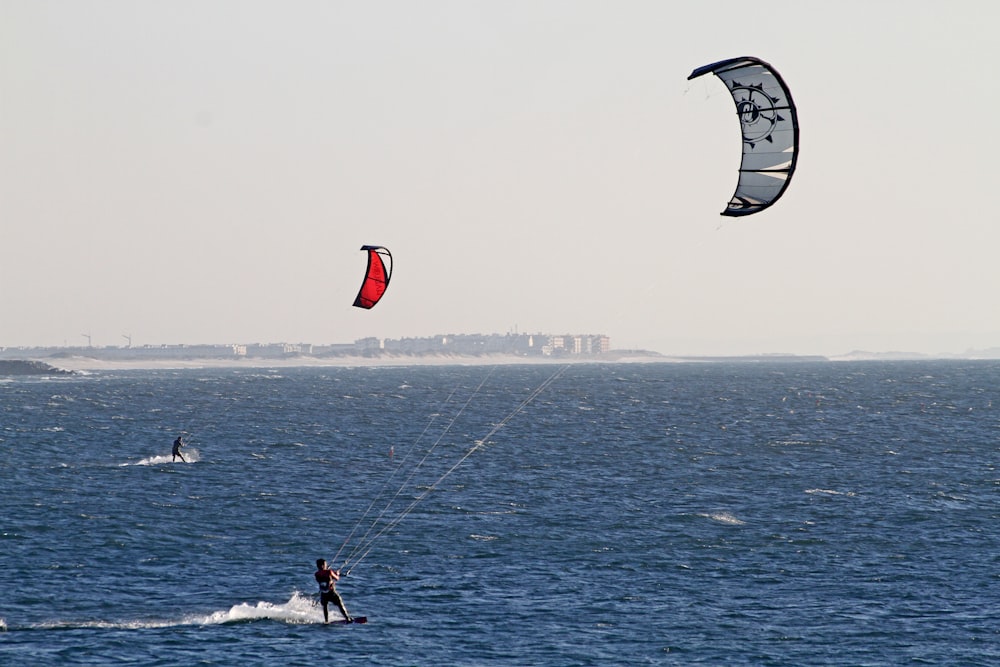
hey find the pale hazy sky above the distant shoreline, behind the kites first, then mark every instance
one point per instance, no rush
(205, 172)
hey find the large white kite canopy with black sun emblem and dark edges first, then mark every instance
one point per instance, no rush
(770, 128)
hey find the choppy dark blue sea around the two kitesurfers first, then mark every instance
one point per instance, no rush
(758, 513)
